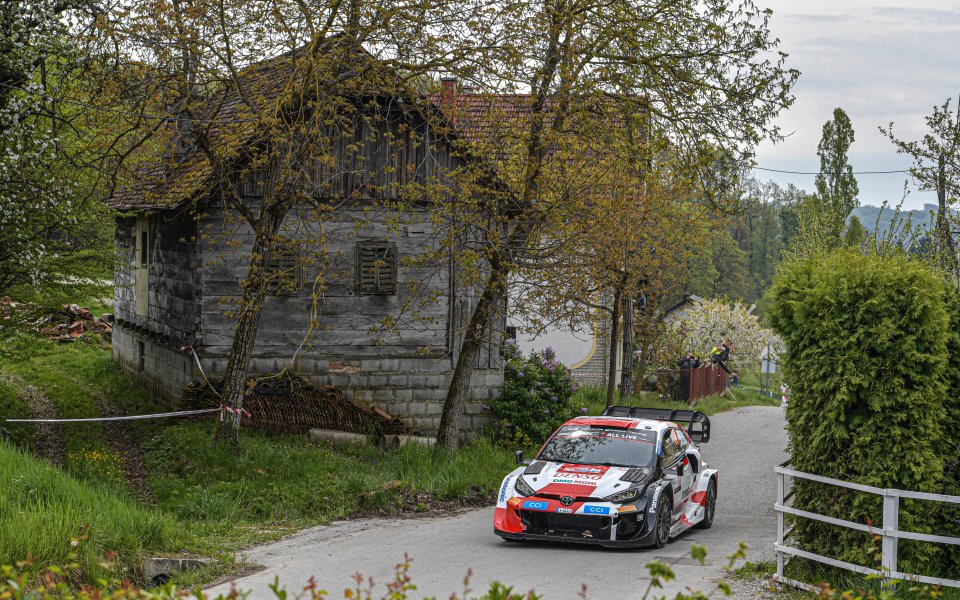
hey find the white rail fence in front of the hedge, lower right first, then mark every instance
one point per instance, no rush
(889, 531)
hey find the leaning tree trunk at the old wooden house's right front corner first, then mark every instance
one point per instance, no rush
(448, 434)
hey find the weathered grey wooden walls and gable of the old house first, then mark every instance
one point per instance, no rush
(194, 287)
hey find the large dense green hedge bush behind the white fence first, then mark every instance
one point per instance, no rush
(866, 363)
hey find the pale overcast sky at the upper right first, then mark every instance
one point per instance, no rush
(880, 62)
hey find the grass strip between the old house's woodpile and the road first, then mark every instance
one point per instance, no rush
(282, 479)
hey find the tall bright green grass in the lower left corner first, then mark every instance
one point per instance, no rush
(42, 509)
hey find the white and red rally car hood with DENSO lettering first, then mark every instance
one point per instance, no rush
(550, 479)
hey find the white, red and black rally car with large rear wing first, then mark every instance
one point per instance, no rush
(631, 477)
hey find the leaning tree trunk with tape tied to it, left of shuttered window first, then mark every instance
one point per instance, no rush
(245, 331)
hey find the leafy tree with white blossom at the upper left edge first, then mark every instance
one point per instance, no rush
(45, 219)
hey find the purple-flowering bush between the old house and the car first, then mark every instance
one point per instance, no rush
(536, 397)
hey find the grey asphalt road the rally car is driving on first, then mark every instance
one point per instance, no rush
(745, 445)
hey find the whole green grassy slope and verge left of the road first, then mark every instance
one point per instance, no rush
(208, 500)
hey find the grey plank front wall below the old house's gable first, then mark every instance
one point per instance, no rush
(405, 371)
